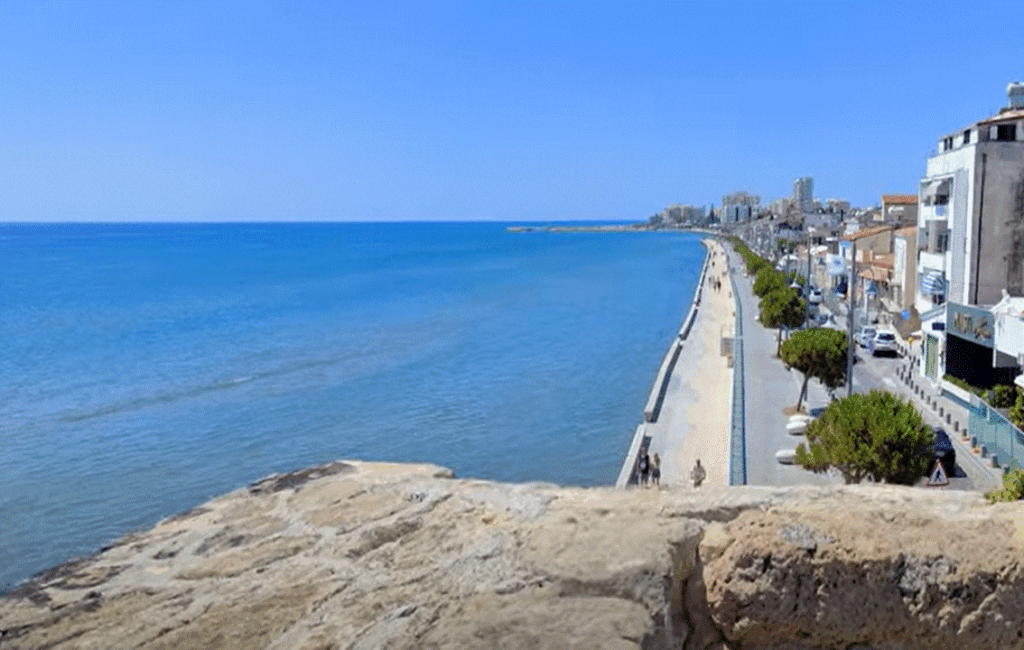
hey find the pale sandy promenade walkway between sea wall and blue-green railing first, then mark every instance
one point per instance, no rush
(695, 420)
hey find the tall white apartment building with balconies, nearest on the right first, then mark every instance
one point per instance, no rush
(971, 213)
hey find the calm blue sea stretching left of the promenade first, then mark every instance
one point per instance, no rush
(148, 368)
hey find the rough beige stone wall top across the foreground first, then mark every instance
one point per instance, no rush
(357, 555)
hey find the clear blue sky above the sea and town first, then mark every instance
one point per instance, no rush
(480, 111)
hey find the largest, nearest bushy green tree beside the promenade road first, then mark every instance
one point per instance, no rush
(877, 437)
